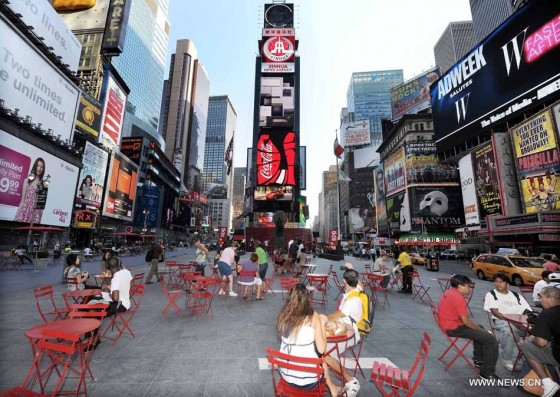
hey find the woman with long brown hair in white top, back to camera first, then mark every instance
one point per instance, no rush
(303, 335)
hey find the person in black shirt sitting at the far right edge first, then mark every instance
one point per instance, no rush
(543, 347)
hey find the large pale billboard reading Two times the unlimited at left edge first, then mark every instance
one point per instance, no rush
(30, 83)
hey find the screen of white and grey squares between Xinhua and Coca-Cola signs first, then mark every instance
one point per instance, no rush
(277, 105)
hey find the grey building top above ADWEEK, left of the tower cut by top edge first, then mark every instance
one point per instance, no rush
(456, 41)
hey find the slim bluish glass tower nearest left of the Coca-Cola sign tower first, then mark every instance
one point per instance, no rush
(217, 178)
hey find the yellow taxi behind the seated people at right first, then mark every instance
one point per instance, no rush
(520, 269)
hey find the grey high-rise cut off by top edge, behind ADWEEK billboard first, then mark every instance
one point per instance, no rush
(488, 15)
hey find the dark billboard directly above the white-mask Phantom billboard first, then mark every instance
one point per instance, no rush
(422, 164)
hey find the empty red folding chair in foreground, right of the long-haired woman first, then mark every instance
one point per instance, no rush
(398, 379)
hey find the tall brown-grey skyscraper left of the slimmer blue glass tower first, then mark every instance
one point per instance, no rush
(184, 124)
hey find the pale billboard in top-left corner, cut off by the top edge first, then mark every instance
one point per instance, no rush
(48, 25)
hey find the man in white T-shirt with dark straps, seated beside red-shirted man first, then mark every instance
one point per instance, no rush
(501, 301)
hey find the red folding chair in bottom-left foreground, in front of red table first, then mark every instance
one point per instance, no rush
(51, 367)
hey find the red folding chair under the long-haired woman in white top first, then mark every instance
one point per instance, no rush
(284, 363)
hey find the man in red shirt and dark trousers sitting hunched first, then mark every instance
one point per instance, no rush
(454, 320)
